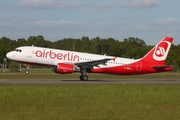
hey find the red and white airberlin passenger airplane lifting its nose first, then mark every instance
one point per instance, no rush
(67, 62)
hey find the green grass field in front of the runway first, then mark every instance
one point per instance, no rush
(91, 102)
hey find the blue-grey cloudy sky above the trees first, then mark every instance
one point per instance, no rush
(150, 20)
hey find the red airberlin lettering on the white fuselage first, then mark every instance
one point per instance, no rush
(60, 56)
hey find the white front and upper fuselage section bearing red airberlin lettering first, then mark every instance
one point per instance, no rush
(51, 57)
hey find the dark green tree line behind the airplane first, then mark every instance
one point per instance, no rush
(131, 47)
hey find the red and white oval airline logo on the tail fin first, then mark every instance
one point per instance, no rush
(161, 50)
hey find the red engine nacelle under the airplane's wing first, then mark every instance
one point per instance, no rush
(63, 68)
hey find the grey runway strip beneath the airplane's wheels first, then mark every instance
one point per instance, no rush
(71, 81)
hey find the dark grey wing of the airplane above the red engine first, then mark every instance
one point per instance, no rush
(95, 63)
